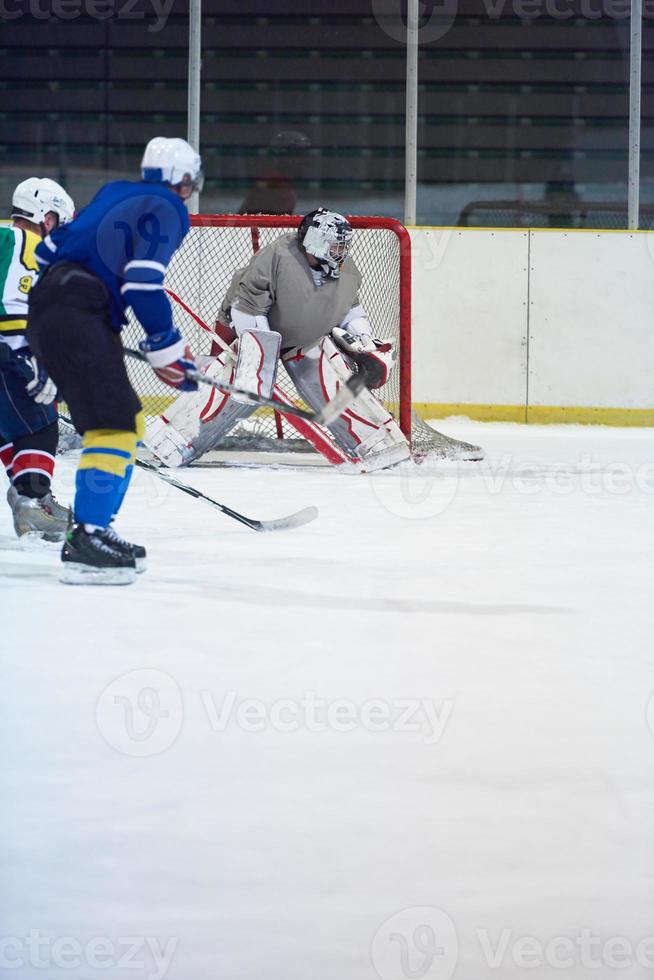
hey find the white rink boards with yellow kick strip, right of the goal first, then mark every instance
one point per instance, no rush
(540, 326)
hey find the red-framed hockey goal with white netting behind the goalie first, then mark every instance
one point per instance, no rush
(200, 274)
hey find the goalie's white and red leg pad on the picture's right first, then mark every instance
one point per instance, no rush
(366, 430)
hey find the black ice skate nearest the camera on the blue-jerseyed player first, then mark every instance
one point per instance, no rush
(89, 558)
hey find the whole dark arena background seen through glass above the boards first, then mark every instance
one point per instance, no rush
(520, 101)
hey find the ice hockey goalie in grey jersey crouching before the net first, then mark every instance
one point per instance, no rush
(296, 301)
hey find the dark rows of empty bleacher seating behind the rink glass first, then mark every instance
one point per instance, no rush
(502, 100)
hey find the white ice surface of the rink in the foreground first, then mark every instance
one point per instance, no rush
(413, 739)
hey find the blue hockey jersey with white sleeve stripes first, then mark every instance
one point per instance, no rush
(126, 236)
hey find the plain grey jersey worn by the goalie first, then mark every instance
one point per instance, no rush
(278, 283)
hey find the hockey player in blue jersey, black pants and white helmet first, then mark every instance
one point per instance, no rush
(113, 255)
